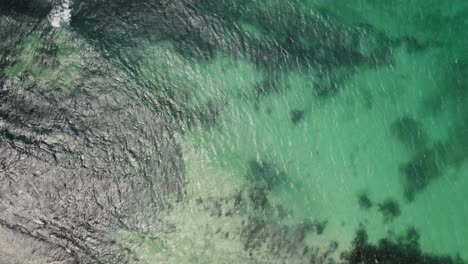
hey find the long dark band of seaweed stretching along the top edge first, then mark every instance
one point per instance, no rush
(296, 39)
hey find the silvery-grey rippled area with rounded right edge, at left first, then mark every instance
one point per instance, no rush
(73, 168)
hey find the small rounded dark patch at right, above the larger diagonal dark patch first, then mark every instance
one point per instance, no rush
(410, 132)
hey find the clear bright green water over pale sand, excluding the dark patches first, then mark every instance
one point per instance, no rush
(341, 147)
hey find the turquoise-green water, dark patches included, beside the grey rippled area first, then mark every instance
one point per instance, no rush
(299, 122)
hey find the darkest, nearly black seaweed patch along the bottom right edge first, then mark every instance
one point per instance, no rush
(405, 250)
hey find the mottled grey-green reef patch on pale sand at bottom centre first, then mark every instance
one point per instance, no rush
(261, 233)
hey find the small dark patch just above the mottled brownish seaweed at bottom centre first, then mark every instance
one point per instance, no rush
(264, 175)
